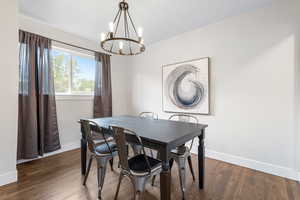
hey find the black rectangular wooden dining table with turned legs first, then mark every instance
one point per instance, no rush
(160, 135)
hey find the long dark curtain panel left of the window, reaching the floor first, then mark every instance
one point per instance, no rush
(38, 129)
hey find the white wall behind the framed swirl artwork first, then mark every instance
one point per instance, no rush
(252, 85)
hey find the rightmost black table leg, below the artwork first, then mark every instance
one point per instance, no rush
(201, 160)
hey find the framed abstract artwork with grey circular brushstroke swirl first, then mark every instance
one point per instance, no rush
(186, 87)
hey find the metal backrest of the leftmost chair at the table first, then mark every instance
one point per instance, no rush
(94, 134)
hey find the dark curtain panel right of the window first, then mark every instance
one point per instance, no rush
(102, 97)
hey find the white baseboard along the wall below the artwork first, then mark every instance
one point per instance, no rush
(253, 164)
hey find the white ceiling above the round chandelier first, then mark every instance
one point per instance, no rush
(160, 19)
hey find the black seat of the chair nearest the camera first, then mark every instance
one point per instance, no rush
(138, 164)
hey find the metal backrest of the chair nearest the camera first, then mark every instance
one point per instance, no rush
(119, 135)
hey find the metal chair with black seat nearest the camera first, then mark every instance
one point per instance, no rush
(140, 168)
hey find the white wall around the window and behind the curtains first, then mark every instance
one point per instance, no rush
(71, 109)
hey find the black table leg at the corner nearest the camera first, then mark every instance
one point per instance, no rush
(165, 177)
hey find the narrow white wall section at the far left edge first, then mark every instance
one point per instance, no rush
(9, 90)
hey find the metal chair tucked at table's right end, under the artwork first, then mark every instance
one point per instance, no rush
(182, 153)
